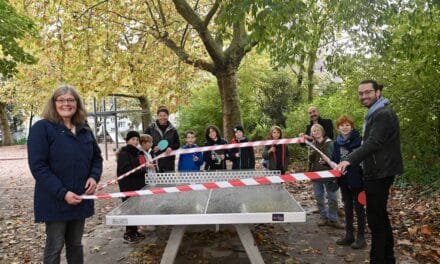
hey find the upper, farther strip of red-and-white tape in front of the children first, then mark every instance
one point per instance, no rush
(208, 148)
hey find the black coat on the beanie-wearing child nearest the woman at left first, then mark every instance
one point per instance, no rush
(129, 158)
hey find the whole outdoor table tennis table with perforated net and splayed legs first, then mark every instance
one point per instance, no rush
(240, 207)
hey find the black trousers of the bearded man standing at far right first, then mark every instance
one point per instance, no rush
(382, 242)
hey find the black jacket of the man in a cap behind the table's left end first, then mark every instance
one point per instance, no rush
(171, 135)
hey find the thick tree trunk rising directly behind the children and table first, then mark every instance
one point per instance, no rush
(227, 83)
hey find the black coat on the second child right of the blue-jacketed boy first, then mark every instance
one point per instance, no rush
(246, 158)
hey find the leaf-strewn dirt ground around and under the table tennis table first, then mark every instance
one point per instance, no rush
(22, 241)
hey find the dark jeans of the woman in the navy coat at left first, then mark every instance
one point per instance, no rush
(68, 232)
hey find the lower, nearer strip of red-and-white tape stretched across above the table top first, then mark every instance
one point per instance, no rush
(307, 176)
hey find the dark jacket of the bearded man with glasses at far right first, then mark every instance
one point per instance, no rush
(380, 152)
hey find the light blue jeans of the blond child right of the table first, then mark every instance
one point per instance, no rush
(330, 210)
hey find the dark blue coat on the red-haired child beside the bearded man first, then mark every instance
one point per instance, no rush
(341, 148)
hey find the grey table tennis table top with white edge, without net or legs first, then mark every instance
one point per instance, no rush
(240, 205)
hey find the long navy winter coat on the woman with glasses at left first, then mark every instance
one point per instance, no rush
(61, 161)
